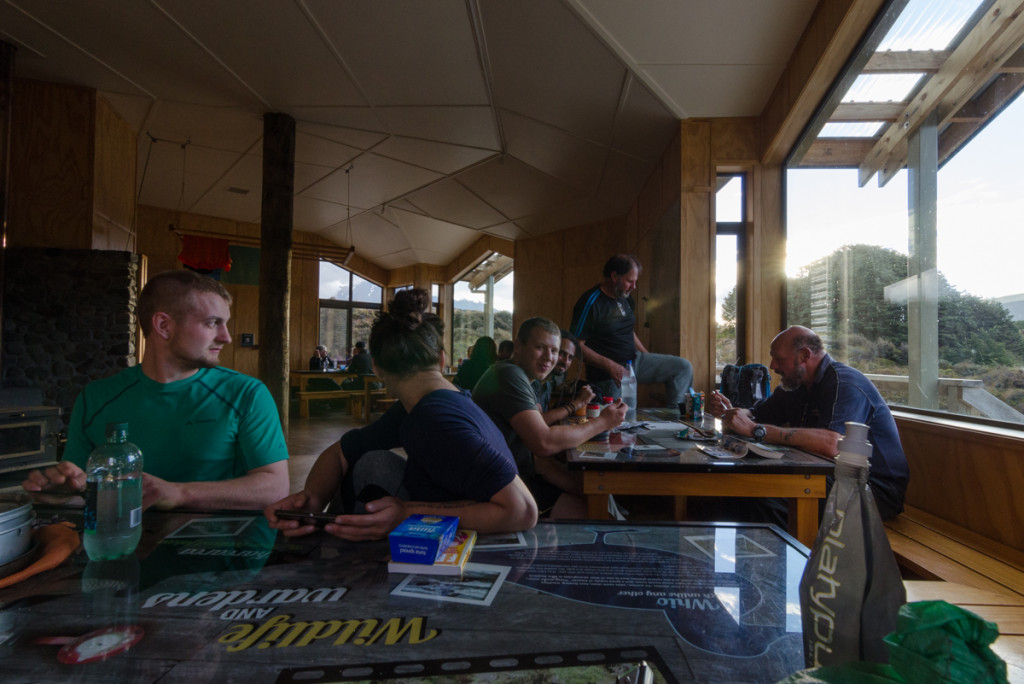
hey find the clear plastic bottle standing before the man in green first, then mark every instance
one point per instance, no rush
(113, 517)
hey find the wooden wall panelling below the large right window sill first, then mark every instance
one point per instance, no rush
(969, 476)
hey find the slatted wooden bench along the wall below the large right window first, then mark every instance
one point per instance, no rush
(932, 548)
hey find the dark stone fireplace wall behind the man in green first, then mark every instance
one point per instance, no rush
(69, 319)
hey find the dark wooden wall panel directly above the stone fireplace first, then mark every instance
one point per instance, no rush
(52, 172)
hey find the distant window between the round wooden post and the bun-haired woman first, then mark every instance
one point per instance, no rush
(349, 305)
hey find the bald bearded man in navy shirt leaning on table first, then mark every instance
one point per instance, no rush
(818, 397)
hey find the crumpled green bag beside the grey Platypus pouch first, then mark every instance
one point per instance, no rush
(938, 642)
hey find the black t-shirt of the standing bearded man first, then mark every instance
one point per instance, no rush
(606, 324)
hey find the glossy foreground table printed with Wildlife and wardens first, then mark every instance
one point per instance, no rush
(219, 597)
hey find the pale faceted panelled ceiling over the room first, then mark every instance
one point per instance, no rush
(454, 118)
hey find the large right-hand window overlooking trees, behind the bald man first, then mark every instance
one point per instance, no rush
(856, 276)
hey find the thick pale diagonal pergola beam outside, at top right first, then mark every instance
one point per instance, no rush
(993, 41)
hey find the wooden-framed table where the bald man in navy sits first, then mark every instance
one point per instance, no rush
(681, 469)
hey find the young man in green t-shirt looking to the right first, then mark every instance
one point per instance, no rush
(210, 438)
